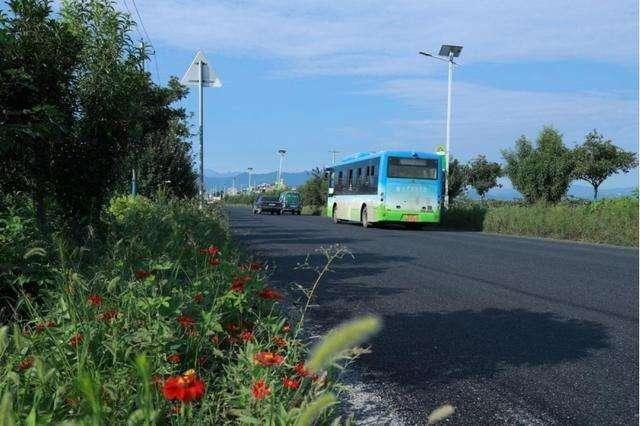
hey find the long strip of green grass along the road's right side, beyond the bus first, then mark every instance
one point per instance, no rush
(611, 221)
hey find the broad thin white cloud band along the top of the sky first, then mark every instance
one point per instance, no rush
(381, 37)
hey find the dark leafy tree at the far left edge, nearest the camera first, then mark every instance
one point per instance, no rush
(38, 62)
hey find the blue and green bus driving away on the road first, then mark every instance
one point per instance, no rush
(387, 186)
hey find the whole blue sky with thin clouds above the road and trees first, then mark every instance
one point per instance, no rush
(311, 76)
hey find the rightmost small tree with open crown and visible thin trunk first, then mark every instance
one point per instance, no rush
(597, 159)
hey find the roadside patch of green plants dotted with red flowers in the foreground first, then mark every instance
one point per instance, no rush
(167, 323)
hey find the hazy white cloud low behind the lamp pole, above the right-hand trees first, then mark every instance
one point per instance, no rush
(486, 120)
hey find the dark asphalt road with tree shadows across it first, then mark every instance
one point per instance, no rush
(509, 330)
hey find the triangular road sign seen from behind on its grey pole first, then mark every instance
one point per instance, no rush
(201, 74)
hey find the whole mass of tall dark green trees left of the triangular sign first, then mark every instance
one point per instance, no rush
(81, 112)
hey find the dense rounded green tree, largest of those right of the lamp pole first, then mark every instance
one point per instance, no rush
(541, 173)
